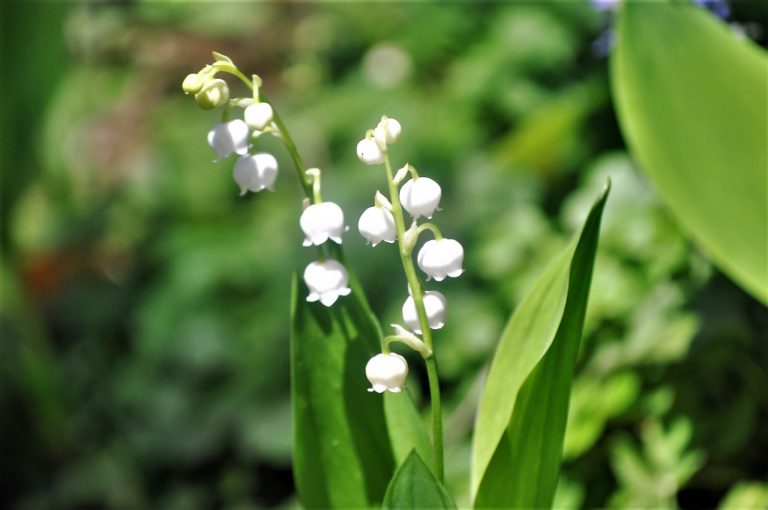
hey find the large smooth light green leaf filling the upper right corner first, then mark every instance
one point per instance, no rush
(691, 100)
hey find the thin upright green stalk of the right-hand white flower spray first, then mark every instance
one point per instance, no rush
(418, 298)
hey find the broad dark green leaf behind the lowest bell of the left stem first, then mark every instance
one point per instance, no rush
(342, 452)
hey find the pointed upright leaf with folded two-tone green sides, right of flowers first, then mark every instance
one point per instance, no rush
(521, 421)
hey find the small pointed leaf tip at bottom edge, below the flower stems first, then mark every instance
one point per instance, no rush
(414, 486)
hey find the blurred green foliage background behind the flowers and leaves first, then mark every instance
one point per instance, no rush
(144, 330)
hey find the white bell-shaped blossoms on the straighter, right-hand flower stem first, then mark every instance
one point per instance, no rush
(438, 258)
